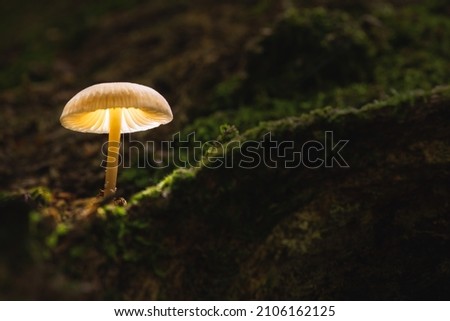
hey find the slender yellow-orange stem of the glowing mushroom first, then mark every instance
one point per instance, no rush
(115, 119)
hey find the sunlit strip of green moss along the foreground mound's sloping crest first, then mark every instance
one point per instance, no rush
(397, 106)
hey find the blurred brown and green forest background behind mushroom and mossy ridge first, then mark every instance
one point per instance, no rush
(234, 62)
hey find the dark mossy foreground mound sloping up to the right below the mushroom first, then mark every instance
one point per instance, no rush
(377, 229)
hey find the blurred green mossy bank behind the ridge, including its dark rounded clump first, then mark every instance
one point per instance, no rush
(319, 57)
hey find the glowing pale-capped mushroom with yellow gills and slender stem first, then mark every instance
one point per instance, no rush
(115, 108)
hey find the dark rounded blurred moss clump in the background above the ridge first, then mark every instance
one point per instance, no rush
(303, 54)
